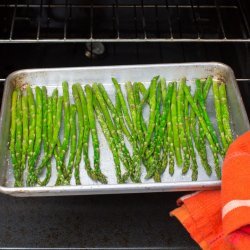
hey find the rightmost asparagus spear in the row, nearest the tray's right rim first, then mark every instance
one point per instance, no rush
(225, 113)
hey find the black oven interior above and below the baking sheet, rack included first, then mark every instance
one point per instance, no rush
(37, 34)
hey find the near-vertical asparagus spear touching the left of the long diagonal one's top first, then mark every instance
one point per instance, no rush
(182, 129)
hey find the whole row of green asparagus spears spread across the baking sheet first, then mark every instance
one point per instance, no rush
(44, 127)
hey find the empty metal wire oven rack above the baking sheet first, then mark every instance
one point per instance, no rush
(62, 21)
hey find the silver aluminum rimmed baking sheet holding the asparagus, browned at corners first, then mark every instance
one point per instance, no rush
(52, 78)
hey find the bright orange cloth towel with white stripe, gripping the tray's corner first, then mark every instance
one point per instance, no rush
(221, 219)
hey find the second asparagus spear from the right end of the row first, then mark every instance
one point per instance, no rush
(217, 105)
